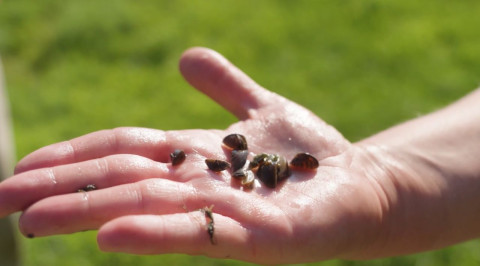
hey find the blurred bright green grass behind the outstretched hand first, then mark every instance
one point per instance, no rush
(73, 67)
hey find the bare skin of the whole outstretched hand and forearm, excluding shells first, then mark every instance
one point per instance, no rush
(411, 188)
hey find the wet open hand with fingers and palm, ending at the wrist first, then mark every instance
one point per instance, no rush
(144, 205)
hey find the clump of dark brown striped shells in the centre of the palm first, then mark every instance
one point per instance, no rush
(270, 169)
